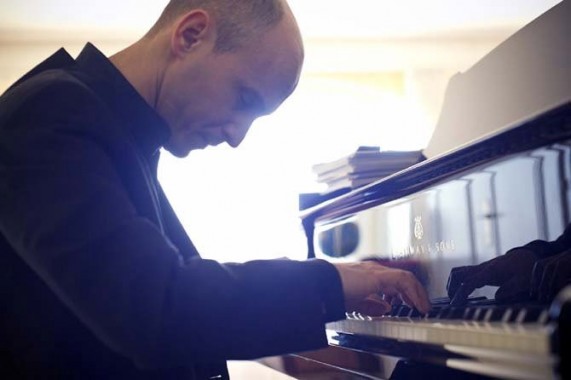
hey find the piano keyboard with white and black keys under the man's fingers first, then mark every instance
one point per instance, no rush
(525, 328)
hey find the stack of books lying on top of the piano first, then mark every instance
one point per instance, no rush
(364, 166)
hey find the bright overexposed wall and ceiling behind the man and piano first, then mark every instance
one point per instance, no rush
(375, 74)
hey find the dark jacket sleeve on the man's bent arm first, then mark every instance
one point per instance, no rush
(65, 211)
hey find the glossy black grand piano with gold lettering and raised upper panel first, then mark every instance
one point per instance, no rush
(498, 175)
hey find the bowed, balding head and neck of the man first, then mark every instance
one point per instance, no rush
(214, 66)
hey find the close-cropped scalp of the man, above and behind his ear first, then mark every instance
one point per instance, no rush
(238, 21)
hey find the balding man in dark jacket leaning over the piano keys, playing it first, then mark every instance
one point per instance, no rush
(98, 279)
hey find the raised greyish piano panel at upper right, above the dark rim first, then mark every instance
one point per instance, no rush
(526, 75)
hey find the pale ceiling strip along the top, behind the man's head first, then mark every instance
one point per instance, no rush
(317, 18)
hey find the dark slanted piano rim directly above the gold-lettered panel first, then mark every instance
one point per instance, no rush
(540, 130)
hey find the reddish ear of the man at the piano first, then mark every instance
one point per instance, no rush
(192, 30)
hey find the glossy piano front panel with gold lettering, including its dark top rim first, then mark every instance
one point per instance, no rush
(460, 209)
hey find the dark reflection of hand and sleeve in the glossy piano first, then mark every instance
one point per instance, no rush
(536, 271)
